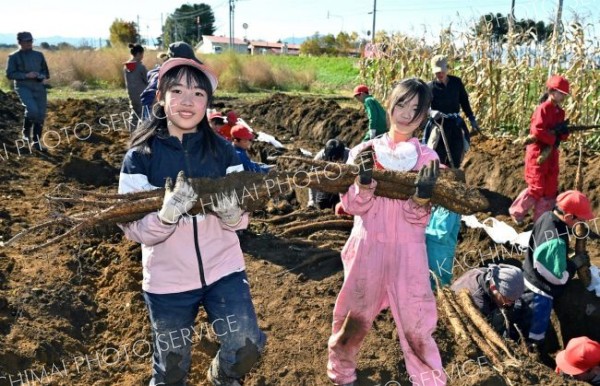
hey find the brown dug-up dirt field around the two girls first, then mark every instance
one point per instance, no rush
(73, 313)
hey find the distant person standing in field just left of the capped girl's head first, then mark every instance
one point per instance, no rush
(135, 74)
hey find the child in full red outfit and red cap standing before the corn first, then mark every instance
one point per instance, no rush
(548, 127)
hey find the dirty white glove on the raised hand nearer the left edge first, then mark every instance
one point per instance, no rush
(177, 200)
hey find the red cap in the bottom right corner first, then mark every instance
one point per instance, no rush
(580, 355)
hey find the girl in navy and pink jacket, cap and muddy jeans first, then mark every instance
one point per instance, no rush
(190, 261)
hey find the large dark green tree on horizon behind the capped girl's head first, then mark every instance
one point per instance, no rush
(188, 23)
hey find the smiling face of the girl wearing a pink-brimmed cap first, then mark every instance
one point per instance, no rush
(185, 107)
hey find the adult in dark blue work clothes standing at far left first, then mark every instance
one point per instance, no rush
(29, 71)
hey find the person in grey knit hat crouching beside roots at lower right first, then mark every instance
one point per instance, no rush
(493, 288)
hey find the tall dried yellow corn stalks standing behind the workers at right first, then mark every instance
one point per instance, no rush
(504, 80)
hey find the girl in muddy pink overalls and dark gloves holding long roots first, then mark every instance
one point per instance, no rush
(385, 258)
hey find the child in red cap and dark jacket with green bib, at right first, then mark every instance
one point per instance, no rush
(547, 268)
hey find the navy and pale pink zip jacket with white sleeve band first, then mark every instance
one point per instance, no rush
(198, 250)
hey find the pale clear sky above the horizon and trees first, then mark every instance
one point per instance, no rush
(275, 19)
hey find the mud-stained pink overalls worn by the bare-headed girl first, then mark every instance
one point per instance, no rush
(385, 265)
